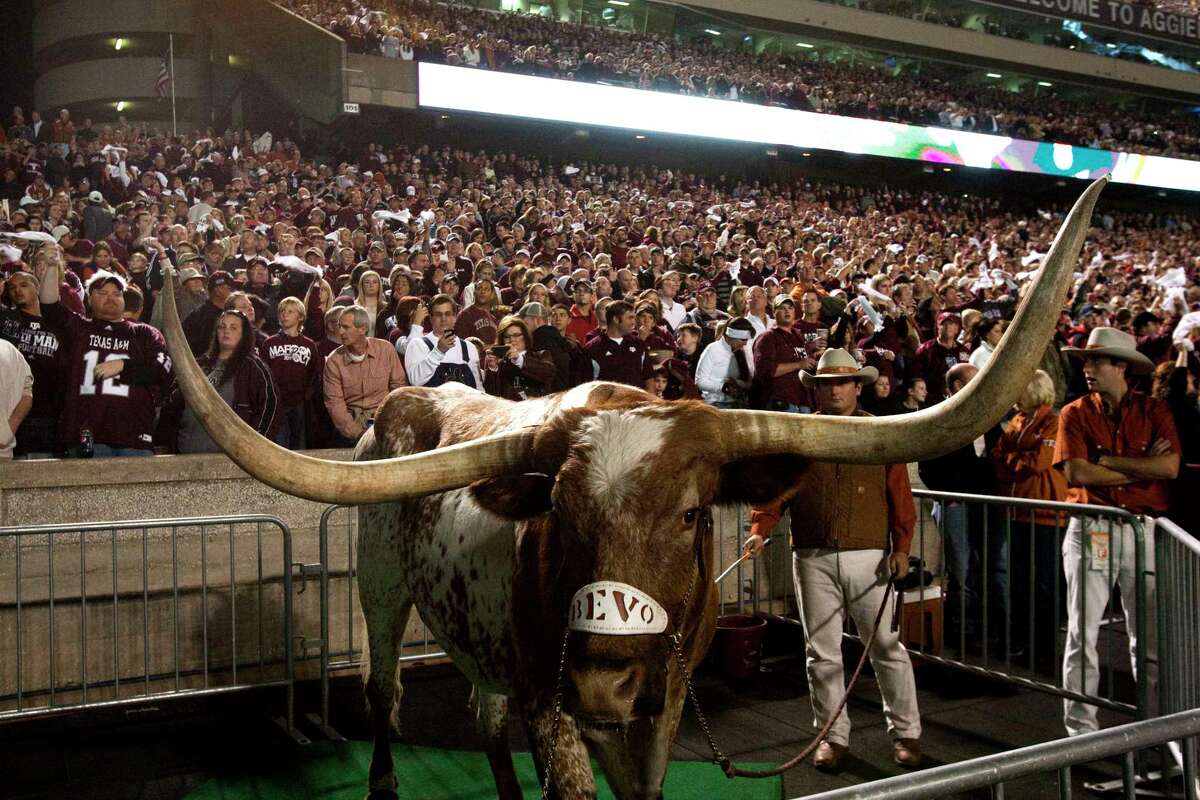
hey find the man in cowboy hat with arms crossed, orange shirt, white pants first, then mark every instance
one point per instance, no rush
(1119, 448)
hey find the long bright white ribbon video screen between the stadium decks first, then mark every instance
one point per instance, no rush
(465, 89)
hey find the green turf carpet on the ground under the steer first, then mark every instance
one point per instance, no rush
(339, 772)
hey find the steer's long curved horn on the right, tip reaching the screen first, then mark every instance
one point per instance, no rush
(949, 425)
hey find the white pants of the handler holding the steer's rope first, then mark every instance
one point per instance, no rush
(827, 585)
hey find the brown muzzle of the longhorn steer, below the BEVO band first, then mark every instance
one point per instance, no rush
(615, 694)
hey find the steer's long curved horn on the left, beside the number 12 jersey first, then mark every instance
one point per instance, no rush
(337, 482)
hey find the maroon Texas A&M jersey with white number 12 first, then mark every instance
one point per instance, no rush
(119, 411)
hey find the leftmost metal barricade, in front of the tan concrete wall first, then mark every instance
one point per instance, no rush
(119, 613)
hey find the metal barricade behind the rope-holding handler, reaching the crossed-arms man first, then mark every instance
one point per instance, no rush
(987, 636)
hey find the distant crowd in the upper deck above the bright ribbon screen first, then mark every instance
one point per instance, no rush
(461, 35)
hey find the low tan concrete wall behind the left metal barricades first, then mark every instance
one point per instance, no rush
(169, 601)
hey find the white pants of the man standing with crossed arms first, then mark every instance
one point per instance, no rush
(1091, 585)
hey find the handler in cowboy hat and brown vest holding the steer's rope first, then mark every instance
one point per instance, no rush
(845, 521)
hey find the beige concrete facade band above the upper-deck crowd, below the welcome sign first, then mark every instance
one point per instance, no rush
(913, 38)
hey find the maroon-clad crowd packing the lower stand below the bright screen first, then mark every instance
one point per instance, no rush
(309, 291)
